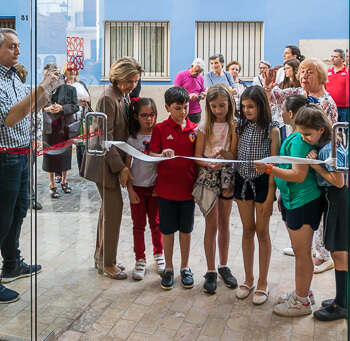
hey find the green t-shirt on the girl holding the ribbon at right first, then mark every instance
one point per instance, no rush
(294, 194)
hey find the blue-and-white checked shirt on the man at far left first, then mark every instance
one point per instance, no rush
(12, 90)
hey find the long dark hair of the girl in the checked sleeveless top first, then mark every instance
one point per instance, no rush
(257, 95)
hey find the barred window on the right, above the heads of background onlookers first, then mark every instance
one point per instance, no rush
(241, 41)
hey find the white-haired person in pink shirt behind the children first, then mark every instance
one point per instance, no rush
(193, 82)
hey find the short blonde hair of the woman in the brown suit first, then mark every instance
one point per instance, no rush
(123, 68)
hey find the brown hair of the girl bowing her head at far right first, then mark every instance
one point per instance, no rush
(312, 116)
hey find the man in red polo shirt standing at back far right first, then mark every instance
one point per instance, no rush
(338, 84)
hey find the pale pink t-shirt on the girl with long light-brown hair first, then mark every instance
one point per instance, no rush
(220, 137)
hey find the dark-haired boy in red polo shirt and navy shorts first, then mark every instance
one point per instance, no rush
(175, 181)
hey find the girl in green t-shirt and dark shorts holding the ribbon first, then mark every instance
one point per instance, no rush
(301, 208)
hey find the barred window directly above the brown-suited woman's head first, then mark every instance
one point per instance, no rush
(148, 42)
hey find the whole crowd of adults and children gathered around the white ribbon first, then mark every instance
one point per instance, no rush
(241, 123)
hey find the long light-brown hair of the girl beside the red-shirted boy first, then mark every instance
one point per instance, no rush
(216, 90)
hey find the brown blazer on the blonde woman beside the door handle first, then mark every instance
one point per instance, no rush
(104, 170)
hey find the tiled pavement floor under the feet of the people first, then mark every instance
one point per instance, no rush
(78, 304)
